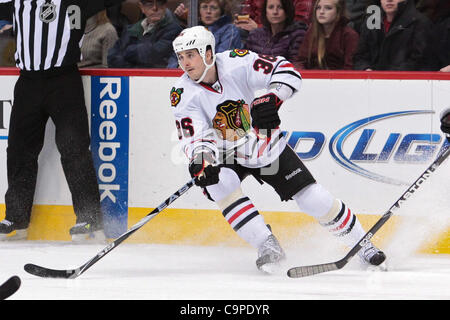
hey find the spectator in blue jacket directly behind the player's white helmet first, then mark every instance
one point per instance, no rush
(214, 15)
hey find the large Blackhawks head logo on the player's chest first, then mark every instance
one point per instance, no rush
(232, 120)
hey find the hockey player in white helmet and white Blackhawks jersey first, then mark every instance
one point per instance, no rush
(228, 135)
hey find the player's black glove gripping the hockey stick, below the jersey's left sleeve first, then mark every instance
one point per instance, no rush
(201, 166)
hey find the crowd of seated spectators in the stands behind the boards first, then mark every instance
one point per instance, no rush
(401, 35)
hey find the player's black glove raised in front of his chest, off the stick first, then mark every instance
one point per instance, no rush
(264, 111)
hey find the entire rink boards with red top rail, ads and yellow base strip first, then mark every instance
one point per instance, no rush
(365, 136)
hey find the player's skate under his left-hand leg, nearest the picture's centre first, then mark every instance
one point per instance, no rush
(269, 255)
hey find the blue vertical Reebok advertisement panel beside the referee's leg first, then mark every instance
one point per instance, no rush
(110, 148)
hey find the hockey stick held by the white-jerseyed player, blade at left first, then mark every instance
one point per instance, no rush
(74, 273)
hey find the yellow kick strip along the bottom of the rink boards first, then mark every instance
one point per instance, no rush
(206, 227)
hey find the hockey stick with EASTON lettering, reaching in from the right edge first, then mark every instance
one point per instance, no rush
(304, 271)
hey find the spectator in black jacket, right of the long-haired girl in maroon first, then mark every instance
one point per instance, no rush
(398, 43)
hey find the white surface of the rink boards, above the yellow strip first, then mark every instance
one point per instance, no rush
(323, 107)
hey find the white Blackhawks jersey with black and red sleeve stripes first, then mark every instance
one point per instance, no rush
(218, 117)
